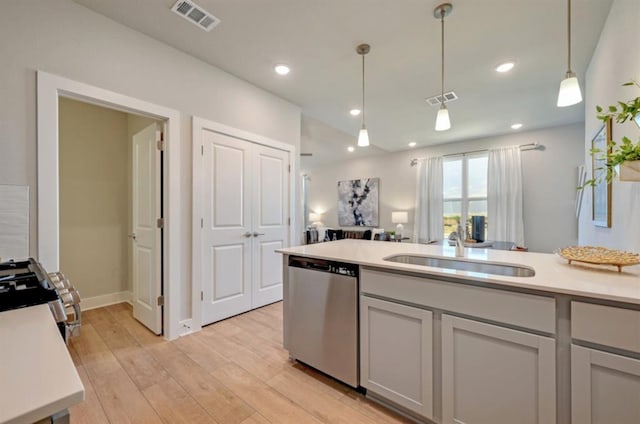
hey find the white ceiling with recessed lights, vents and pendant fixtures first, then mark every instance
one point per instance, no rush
(317, 38)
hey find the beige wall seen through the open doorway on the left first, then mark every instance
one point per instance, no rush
(94, 197)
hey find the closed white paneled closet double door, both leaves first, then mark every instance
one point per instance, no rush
(245, 219)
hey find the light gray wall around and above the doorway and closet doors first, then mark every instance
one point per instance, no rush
(64, 38)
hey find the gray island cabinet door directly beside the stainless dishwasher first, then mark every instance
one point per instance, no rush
(396, 353)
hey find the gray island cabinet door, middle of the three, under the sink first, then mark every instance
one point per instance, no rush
(495, 375)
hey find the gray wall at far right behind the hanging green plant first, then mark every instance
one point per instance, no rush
(616, 60)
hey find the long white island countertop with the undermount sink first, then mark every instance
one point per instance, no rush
(553, 273)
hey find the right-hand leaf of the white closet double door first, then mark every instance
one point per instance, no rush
(270, 227)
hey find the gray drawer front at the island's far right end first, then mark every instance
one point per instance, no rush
(606, 325)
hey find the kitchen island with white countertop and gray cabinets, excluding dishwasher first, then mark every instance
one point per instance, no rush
(453, 346)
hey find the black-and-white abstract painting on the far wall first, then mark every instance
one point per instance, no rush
(358, 202)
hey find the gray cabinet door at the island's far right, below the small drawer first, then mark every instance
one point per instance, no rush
(605, 388)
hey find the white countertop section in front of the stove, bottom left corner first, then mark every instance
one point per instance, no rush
(37, 375)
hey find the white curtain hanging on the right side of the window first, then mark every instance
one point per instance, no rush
(504, 195)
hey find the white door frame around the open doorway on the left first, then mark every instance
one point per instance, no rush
(49, 88)
